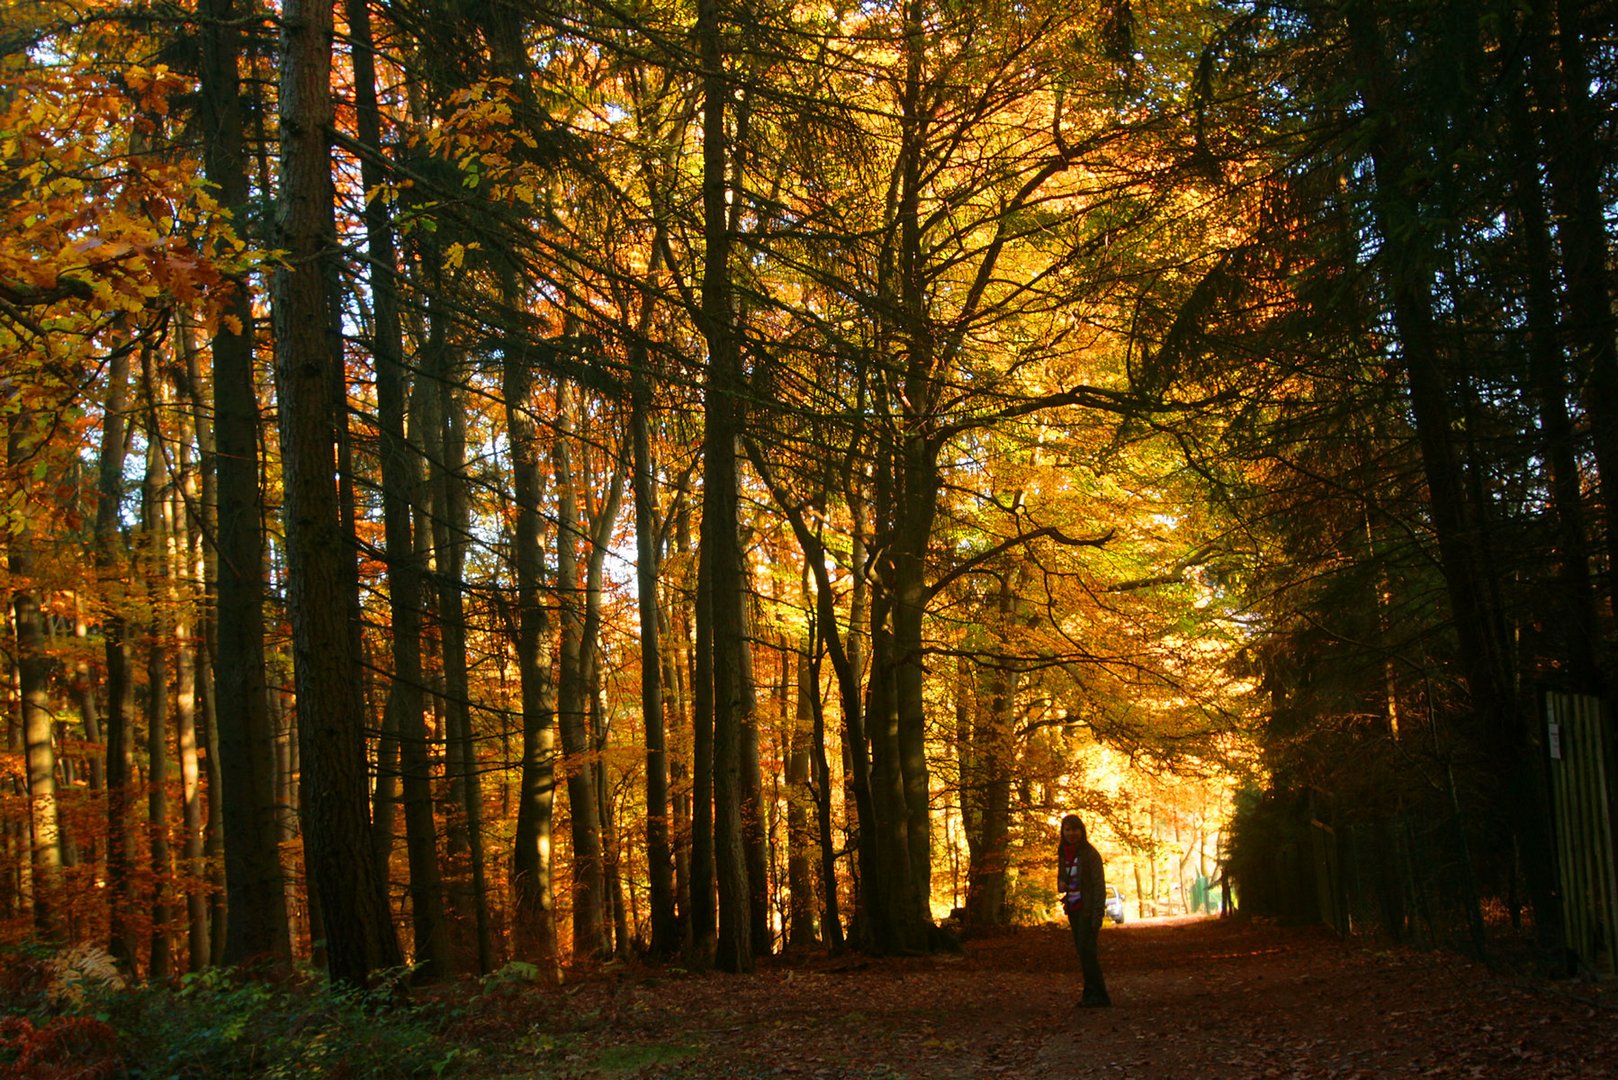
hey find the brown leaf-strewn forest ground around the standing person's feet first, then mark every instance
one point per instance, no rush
(1192, 998)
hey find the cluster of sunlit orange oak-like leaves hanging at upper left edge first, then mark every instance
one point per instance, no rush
(101, 224)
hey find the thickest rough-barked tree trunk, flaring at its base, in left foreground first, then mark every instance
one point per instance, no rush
(331, 725)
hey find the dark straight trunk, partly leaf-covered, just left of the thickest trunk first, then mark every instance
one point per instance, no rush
(255, 882)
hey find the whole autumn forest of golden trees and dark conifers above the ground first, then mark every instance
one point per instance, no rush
(504, 487)
